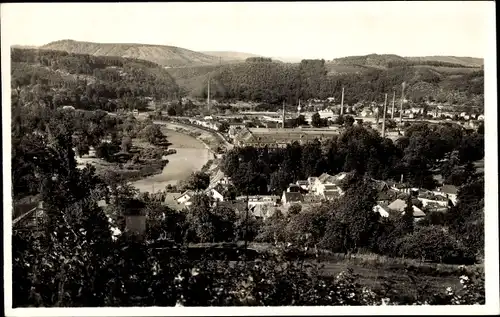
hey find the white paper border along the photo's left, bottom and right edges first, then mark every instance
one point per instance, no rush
(491, 220)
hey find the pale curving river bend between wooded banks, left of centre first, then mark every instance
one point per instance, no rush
(191, 155)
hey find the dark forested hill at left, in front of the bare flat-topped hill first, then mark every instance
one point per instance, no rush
(88, 82)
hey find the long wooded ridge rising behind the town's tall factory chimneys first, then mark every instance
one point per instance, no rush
(273, 82)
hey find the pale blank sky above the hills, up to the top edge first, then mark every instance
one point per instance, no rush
(282, 29)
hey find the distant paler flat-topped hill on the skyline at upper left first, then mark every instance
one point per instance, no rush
(170, 56)
